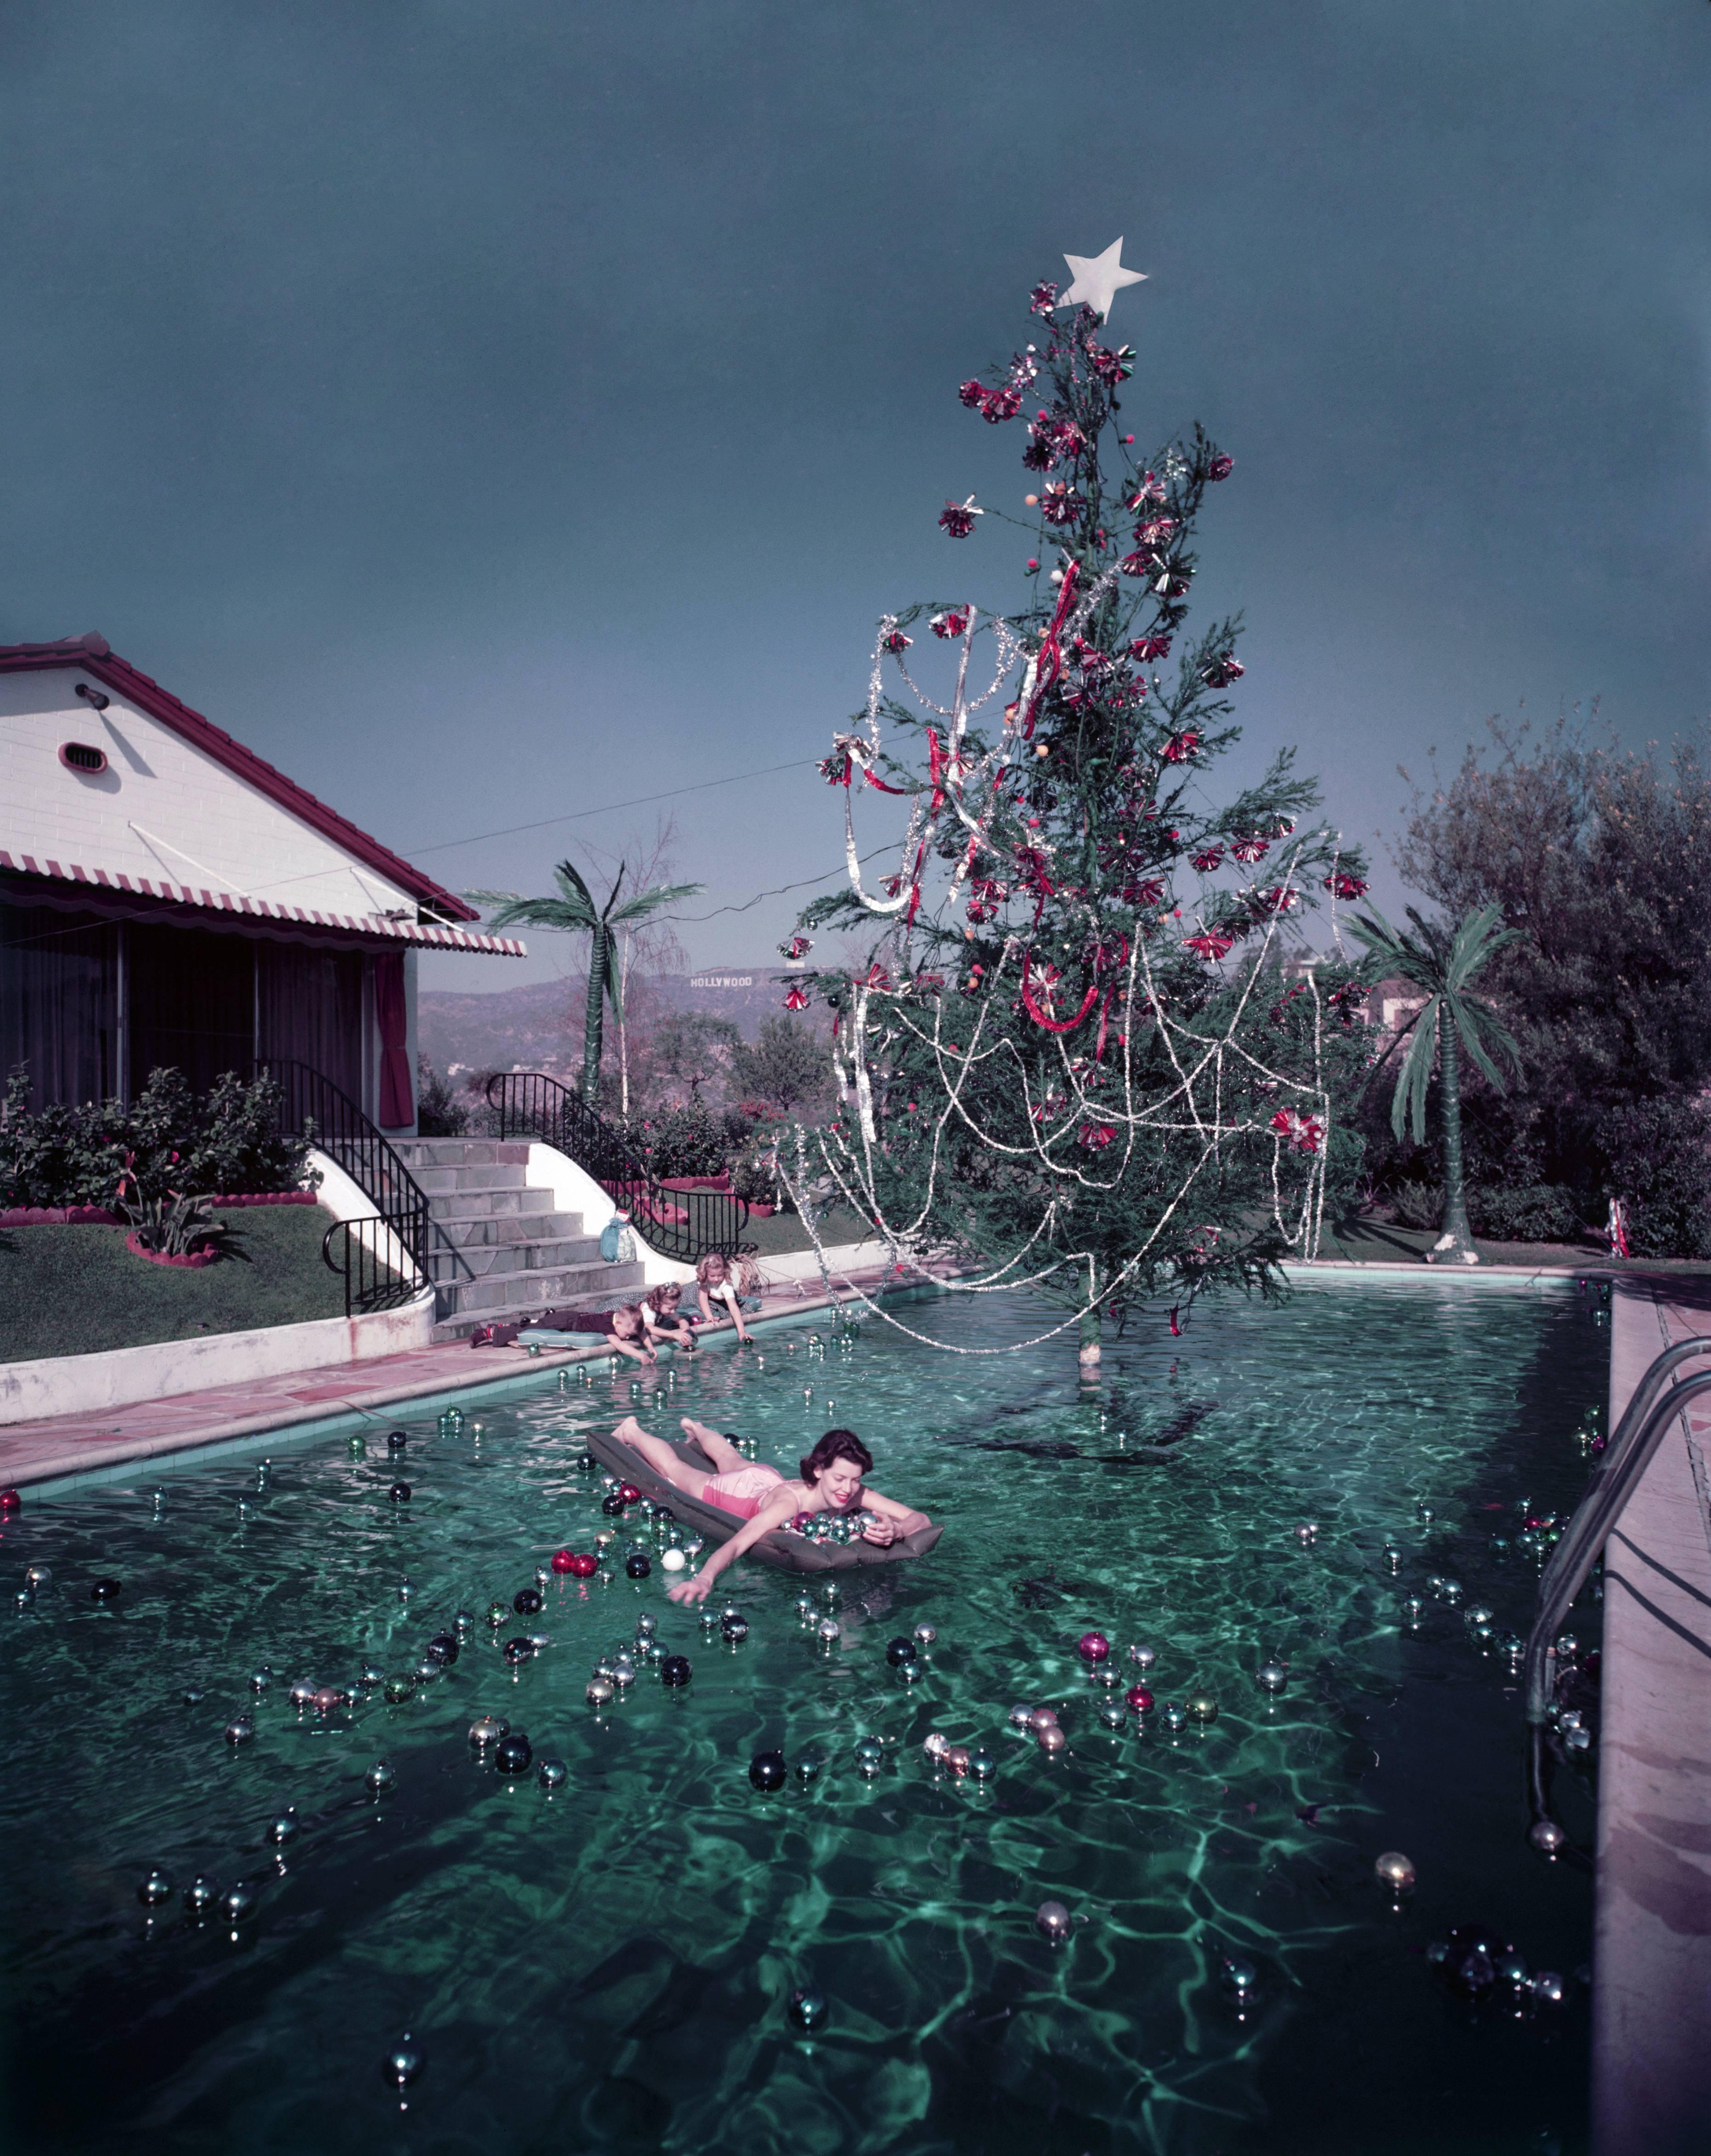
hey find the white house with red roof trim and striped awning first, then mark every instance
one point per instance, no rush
(171, 900)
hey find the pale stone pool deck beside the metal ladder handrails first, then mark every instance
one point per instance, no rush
(1652, 1965)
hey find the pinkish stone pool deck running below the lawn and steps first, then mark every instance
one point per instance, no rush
(68, 1448)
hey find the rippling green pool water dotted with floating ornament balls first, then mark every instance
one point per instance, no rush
(607, 1967)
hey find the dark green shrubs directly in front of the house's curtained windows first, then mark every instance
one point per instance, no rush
(163, 1144)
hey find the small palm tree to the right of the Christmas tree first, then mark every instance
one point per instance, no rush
(1443, 965)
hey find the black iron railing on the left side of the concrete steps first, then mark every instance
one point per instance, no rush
(402, 1226)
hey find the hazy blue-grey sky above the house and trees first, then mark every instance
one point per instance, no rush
(499, 413)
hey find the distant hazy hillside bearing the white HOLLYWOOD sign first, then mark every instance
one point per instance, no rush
(540, 1027)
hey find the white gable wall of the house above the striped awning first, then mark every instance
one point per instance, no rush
(163, 810)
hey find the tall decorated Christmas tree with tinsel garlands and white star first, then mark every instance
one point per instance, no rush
(1074, 1047)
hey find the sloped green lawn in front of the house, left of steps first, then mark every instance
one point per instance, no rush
(76, 1290)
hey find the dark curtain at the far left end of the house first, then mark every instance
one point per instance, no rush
(59, 1004)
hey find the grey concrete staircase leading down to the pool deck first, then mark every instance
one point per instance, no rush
(523, 1254)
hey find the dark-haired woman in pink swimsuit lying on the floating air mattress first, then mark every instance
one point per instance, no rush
(831, 1482)
